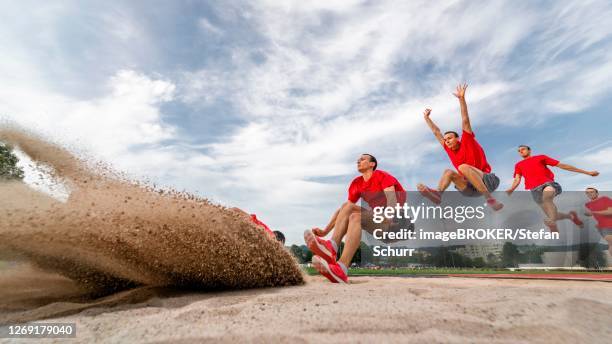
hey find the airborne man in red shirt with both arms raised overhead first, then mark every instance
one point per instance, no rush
(473, 176)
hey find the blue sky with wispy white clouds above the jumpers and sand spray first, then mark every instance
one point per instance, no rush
(266, 105)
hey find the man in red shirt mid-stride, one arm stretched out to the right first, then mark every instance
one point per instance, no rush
(541, 181)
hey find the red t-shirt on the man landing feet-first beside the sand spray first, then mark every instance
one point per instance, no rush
(372, 190)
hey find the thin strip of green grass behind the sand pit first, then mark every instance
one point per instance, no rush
(446, 271)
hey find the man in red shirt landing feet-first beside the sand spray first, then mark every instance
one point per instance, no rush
(376, 188)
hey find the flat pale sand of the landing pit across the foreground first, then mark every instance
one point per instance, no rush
(371, 309)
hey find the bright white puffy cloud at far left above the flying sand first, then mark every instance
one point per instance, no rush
(108, 126)
